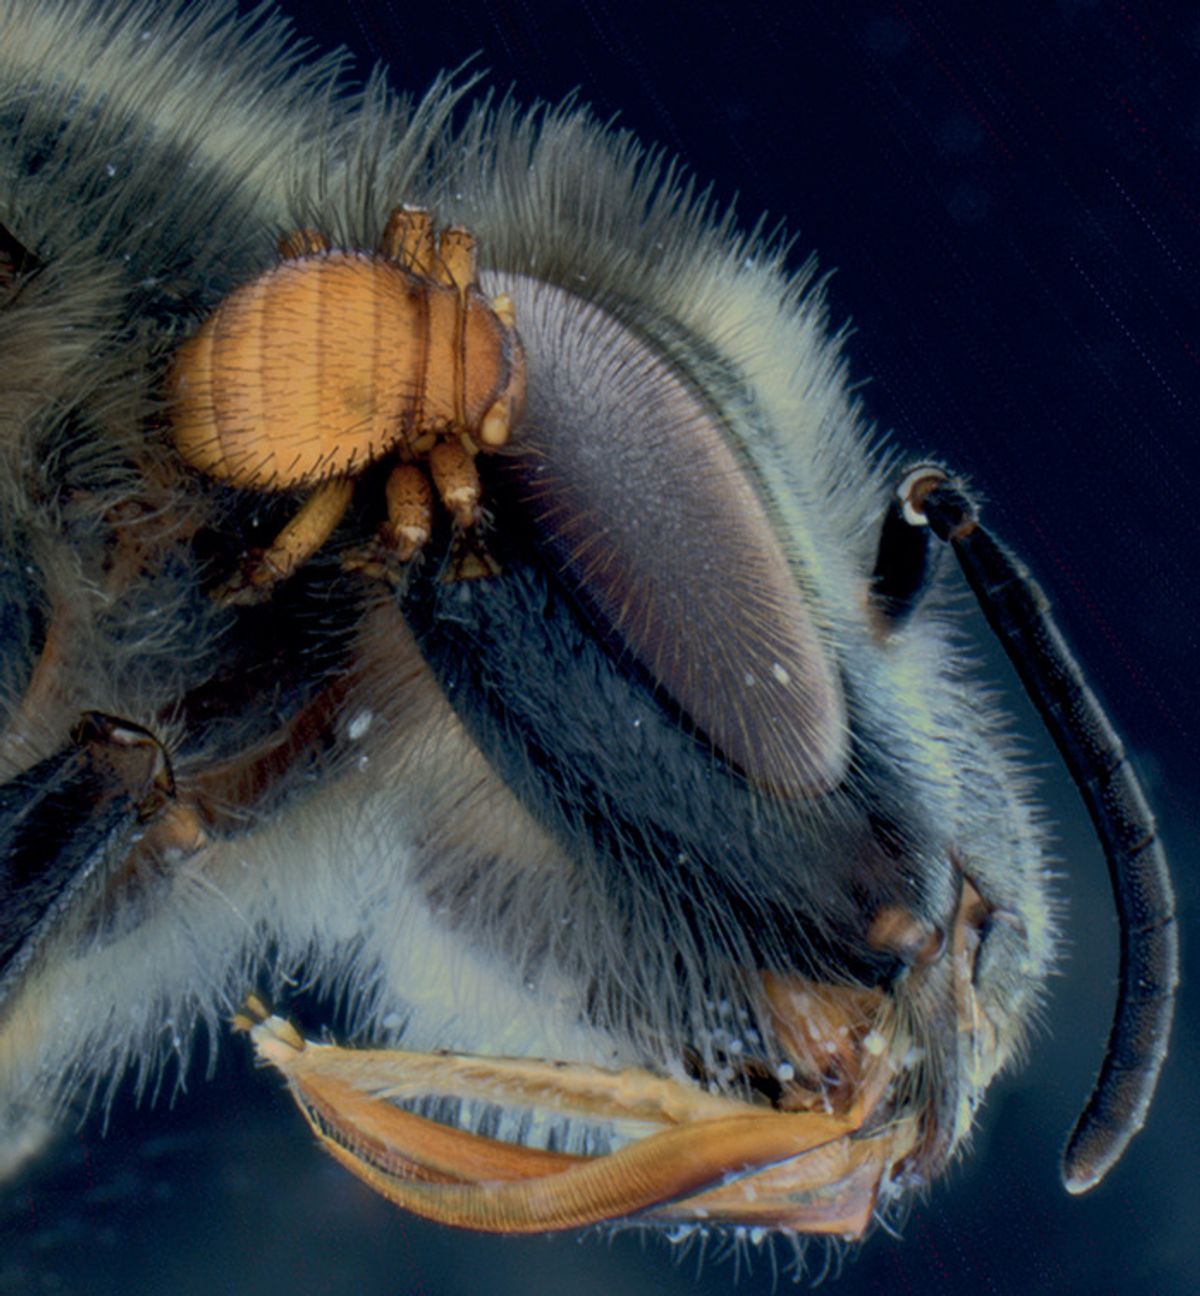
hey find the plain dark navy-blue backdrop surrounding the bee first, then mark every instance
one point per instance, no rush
(1011, 199)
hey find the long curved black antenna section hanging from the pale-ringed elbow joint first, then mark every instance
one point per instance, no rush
(1019, 615)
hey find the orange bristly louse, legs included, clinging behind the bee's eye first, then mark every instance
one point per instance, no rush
(317, 369)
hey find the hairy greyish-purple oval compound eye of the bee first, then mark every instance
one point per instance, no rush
(656, 526)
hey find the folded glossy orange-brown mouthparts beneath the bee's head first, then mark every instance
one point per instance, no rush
(681, 1155)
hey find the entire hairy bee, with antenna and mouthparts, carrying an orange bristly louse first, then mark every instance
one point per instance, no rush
(678, 874)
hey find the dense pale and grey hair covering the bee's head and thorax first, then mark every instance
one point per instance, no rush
(506, 842)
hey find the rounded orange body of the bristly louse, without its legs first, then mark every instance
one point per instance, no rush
(326, 362)
